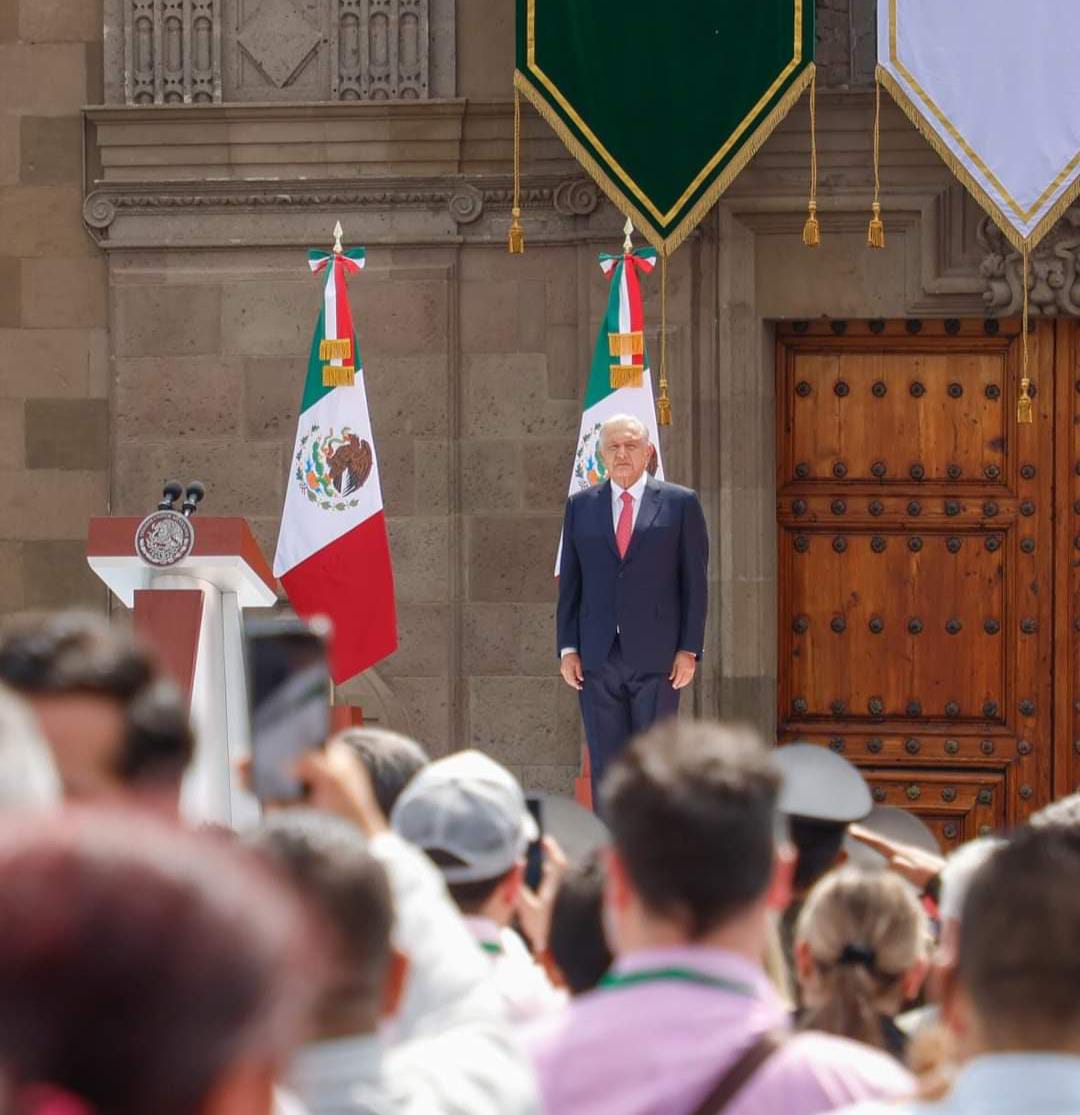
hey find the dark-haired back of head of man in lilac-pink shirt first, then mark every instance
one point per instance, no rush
(693, 810)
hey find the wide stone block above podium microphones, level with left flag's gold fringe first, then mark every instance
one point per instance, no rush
(163, 397)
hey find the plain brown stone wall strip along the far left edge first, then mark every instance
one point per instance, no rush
(54, 382)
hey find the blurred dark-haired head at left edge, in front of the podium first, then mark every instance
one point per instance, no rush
(115, 726)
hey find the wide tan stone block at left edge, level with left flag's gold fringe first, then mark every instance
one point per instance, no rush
(42, 363)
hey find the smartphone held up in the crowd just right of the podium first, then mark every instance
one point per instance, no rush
(289, 691)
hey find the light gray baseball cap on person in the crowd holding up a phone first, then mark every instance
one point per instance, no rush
(470, 807)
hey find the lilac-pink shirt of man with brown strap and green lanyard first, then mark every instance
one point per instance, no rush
(656, 1044)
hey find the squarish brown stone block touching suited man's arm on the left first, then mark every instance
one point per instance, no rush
(511, 558)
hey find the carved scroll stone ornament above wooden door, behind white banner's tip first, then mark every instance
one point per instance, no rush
(1054, 278)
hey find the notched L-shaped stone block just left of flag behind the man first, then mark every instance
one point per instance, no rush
(508, 396)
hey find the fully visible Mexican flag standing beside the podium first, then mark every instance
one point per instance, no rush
(334, 556)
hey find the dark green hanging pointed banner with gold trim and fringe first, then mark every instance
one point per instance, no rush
(665, 104)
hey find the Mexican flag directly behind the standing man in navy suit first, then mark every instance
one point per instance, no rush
(620, 381)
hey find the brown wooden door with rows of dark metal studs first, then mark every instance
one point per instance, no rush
(917, 566)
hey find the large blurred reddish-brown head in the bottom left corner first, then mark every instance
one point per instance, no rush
(145, 969)
